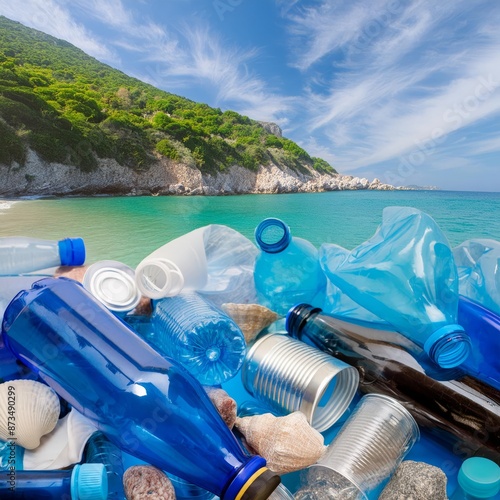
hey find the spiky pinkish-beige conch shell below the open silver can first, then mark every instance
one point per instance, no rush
(287, 443)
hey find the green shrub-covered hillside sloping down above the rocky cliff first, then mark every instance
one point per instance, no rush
(71, 109)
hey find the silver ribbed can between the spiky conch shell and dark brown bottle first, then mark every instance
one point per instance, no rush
(372, 442)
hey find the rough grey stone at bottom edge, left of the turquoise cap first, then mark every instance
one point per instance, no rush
(416, 481)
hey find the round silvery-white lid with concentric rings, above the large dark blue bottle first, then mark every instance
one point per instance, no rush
(113, 284)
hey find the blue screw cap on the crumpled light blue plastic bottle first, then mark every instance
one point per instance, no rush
(449, 346)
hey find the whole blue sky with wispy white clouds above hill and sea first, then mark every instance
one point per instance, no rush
(406, 91)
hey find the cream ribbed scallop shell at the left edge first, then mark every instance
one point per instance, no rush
(28, 411)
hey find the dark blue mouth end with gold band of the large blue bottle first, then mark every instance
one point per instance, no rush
(254, 481)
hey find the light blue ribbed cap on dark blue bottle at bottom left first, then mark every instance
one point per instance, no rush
(89, 482)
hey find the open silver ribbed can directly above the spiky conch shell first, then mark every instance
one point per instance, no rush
(288, 375)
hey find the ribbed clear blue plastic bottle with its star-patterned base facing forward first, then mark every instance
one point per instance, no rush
(198, 335)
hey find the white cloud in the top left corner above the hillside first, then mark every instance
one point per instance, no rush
(51, 18)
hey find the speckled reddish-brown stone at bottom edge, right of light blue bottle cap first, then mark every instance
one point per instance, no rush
(145, 481)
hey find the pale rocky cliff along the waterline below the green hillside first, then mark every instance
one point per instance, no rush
(165, 177)
